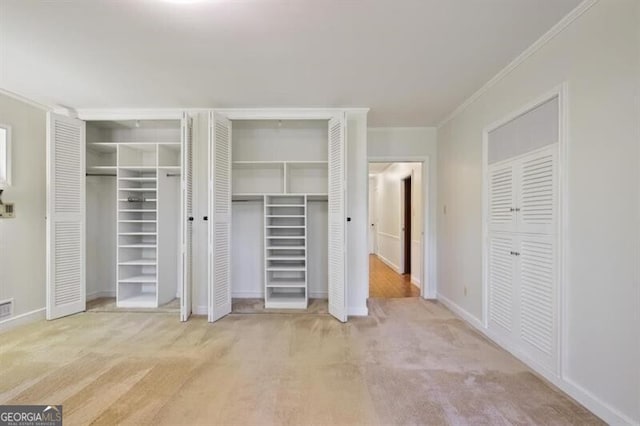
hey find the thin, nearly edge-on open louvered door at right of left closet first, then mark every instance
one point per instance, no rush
(187, 218)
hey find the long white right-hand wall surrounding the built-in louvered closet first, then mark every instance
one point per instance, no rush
(598, 56)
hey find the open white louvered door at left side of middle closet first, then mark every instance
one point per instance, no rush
(220, 217)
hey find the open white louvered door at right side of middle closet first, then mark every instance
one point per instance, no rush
(337, 219)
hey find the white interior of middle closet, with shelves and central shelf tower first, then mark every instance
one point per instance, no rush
(279, 229)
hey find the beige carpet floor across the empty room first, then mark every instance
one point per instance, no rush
(409, 362)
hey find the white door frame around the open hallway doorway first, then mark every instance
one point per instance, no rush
(428, 273)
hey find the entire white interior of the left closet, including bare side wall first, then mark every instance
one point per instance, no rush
(133, 211)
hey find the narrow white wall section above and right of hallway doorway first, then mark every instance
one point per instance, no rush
(389, 144)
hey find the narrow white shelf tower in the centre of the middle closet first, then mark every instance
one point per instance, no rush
(285, 219)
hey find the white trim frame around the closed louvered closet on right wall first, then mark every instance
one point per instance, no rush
(562, 93)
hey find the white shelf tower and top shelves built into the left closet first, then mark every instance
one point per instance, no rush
(145, 159)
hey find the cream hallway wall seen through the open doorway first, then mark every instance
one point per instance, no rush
(389, 207)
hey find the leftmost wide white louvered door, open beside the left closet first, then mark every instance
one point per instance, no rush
(66, 222)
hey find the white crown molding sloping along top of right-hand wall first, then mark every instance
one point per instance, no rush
(530, 51)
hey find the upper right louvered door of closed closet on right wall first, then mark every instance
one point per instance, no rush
(537, 195)
